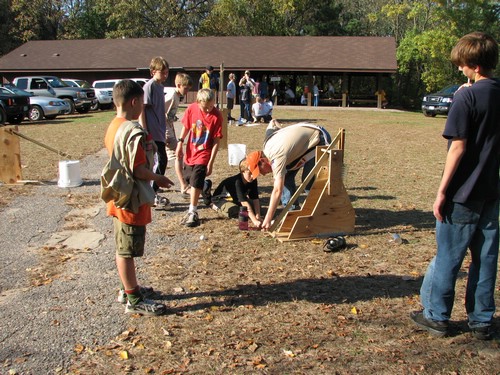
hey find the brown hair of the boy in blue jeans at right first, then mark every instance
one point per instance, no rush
(476, 49)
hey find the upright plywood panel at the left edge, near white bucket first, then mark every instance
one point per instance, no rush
(10, 157)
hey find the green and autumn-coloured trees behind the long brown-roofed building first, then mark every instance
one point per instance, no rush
(424, 30)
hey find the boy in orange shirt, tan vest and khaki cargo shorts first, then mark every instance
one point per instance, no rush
(125, 186)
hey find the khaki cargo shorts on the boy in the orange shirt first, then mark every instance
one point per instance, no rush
(129, 239)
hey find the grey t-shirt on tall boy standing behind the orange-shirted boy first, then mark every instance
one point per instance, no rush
(154, 101)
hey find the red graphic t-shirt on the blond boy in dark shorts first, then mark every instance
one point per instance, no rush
(204, 128)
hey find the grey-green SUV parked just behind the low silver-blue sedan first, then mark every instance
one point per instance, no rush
(79, 98)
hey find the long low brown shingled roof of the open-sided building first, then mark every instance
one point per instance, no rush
(265, 53)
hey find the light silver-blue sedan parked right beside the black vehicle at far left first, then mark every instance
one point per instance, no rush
(42, 106)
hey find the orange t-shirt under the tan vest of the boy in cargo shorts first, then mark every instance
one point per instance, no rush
(143, 217)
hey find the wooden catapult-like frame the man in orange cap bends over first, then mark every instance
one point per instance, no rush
(327, 210)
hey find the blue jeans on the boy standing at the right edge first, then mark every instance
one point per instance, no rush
(472, 225)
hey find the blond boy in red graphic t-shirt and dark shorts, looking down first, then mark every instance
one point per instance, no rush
(202, 125)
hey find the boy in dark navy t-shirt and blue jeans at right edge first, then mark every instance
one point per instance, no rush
(467, 203)
